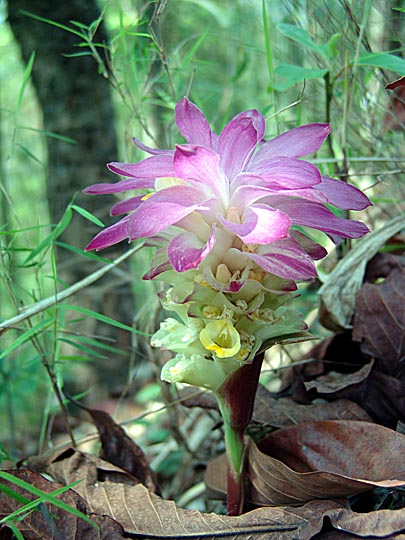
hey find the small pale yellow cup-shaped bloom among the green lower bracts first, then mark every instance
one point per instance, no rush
(220, 337)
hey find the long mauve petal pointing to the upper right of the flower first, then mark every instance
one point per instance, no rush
(296, 142)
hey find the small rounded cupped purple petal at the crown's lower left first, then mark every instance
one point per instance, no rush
(186, 251)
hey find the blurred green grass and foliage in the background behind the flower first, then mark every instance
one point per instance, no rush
(297, 62)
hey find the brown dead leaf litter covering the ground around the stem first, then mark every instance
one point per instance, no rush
(329, 436)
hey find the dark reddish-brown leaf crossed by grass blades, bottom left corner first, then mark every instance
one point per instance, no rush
(50, 522)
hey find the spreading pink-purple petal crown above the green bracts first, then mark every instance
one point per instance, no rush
(235, 196)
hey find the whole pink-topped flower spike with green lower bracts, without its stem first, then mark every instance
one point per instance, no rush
(230, 216)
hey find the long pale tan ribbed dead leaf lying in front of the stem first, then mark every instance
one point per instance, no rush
(143, 513)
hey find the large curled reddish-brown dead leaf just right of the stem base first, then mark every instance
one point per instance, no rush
(318, 460)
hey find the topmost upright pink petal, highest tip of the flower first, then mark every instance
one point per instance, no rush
(192, 123)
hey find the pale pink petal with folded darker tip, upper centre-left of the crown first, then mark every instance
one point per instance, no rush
(200, 166)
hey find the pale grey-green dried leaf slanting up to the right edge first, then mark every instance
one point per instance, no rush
(338, 293)
